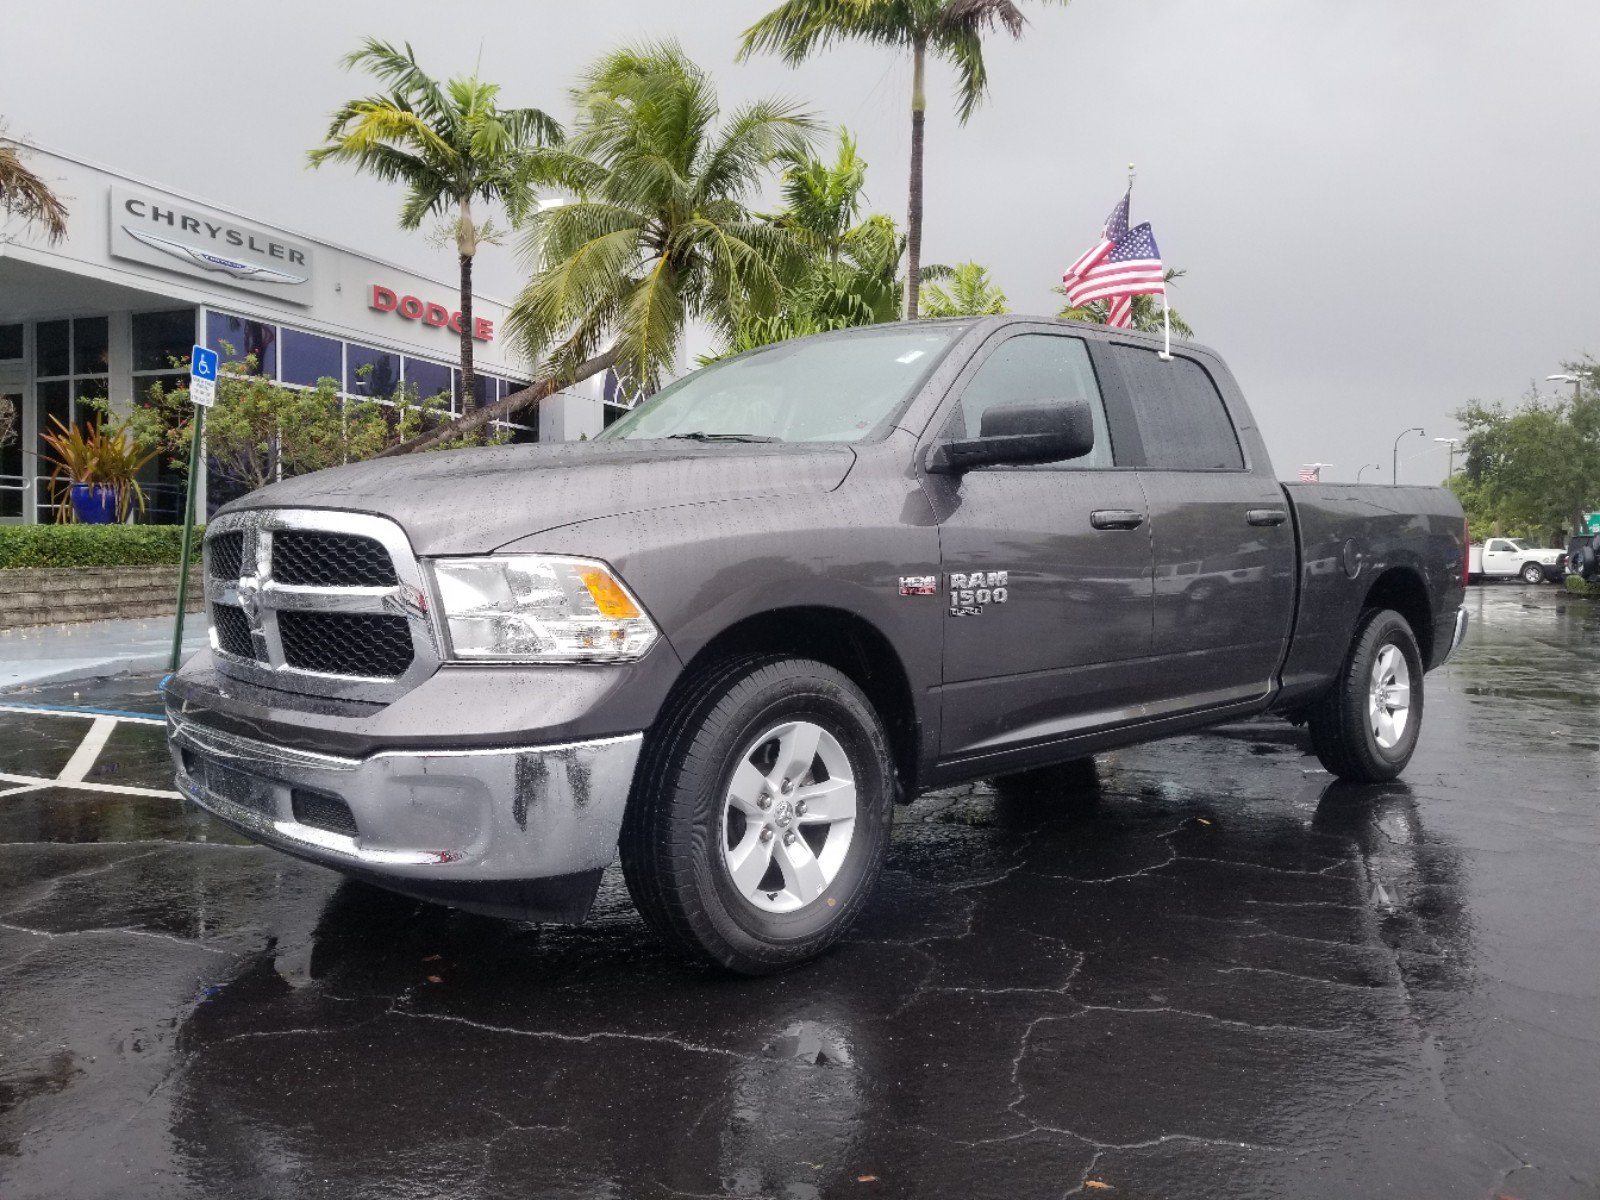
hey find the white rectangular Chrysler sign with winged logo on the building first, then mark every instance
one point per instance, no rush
(159, 233)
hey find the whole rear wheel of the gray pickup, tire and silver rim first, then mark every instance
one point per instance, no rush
(1366, 729)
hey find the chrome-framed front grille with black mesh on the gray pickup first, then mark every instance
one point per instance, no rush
(319, 602)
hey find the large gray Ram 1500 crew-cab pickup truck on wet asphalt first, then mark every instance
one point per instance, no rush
(793, 590)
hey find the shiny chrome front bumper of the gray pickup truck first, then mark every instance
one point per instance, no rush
(431, 817)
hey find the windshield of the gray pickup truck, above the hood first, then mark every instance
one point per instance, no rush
(838, 388)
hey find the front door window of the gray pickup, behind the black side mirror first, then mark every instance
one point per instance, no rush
(1036, 367)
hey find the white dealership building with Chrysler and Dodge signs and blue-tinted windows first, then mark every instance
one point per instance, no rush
(146, 273)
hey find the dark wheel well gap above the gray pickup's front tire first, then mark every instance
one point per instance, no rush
(850, 646)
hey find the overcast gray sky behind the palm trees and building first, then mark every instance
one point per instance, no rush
(1385, 207)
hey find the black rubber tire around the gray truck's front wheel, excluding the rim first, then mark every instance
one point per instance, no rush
(671, 838)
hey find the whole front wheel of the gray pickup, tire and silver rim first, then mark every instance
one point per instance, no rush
(761, 815)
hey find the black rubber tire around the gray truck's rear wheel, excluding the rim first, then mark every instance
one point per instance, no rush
(1342, 734)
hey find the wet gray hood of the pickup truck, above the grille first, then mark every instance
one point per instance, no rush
(473, 502)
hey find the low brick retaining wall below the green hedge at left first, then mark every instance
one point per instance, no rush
(50, 596)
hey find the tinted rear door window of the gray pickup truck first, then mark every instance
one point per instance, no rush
(1182, 417)
